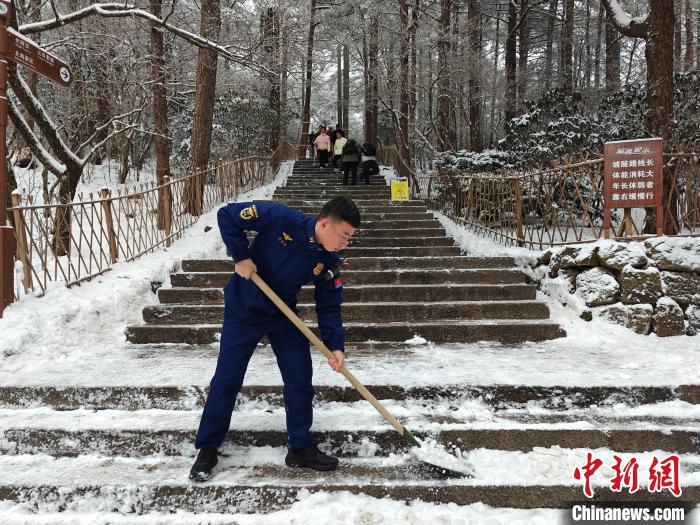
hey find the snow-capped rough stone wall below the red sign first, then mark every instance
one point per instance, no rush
(648, 287)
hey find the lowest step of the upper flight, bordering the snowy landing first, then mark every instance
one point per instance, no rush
(442, 331)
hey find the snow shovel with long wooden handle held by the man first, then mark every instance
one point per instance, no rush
(439, 461)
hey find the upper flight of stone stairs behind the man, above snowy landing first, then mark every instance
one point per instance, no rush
(404, 278)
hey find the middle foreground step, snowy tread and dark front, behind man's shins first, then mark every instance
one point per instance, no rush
(345, 432)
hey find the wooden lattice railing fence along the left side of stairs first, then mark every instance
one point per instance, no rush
(70, 241)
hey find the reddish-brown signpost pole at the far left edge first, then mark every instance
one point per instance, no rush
(6, 232)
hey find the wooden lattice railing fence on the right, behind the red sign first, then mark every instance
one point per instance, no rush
(547, 206)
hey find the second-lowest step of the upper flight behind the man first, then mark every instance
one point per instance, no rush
(366, 312)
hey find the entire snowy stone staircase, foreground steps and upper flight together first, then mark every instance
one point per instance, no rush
(126, 447)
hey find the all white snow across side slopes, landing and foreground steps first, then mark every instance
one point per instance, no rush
(76, 337)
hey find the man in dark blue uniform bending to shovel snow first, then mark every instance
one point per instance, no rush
(289, 251)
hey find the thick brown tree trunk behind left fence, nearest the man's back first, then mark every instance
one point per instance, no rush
(205, 91)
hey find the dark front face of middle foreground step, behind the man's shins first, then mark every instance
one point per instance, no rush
(347, 442)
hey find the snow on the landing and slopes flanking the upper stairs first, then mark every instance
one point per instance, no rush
(76, 336)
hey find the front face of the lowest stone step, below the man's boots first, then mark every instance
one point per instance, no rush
(252, 498)
